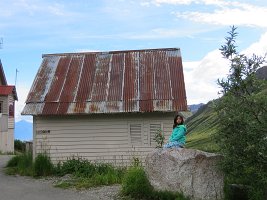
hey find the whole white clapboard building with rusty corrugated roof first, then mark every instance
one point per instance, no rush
(105, 106)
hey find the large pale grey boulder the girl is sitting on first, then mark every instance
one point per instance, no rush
(192, 172)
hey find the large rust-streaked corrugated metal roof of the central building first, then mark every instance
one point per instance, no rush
(108, 82)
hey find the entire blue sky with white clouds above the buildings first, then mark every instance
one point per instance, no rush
(30, 28)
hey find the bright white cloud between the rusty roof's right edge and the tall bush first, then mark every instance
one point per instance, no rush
(201, 77)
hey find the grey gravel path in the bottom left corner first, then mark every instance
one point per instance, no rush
(26, 188)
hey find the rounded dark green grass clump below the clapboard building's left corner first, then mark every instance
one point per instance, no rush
(43, 165)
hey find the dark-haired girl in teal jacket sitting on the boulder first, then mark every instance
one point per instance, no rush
(177, 138)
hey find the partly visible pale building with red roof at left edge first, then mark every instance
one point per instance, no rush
(8, 96)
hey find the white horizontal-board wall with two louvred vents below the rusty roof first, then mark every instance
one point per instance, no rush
(113, 138)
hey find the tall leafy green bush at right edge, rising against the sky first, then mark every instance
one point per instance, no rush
(242, 113)
